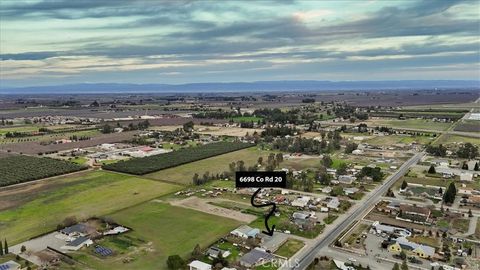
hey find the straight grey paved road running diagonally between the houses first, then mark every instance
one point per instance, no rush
(302, 259)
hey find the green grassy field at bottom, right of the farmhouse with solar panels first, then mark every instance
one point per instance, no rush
(161, 230)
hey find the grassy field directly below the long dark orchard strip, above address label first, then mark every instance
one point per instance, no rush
(183, 174)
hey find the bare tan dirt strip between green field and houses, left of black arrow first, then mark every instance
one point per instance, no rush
(204, 206)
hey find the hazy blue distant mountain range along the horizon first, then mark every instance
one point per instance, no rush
(268, 86)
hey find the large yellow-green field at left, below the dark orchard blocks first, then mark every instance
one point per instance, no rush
(88, 194)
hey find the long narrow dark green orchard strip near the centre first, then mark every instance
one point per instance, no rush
(158, 162)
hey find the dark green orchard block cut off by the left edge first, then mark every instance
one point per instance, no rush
(18, 169)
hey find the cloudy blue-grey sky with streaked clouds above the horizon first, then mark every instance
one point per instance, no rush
(175, 42)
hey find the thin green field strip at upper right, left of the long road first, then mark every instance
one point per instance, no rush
(410, 123)
